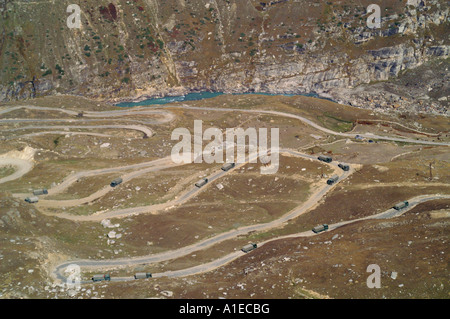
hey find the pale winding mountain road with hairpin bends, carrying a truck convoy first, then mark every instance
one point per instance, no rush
(163, 163)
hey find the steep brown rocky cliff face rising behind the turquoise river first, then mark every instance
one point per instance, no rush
(139, 48)
